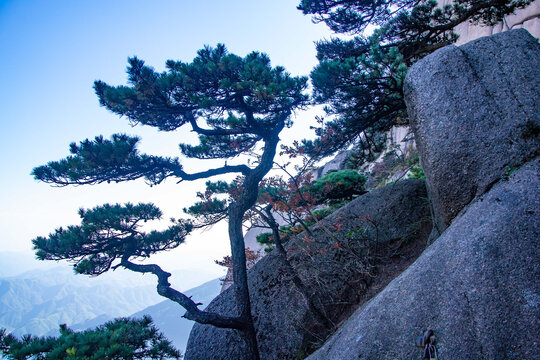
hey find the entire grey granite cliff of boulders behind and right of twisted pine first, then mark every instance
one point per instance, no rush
(474, 113)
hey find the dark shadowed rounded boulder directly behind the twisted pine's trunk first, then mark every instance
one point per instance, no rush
(334, 263)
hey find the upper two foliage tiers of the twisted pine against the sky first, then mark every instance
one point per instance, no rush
(230, 101)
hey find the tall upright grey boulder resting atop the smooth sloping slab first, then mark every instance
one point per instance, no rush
(474, 110)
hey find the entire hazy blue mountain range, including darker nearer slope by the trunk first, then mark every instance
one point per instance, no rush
(37, 301)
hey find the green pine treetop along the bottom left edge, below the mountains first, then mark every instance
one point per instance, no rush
(123, 338)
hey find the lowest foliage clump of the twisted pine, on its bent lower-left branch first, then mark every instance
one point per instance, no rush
(108, 233)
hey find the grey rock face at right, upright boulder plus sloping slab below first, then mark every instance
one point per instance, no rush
(475, 113)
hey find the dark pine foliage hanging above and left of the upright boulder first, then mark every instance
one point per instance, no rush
(360, 79)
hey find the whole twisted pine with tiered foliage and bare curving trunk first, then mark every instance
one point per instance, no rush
(235, 105)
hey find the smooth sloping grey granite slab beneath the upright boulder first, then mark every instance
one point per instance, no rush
(476, 287)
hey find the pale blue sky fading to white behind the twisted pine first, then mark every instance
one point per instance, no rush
(50, 54)
